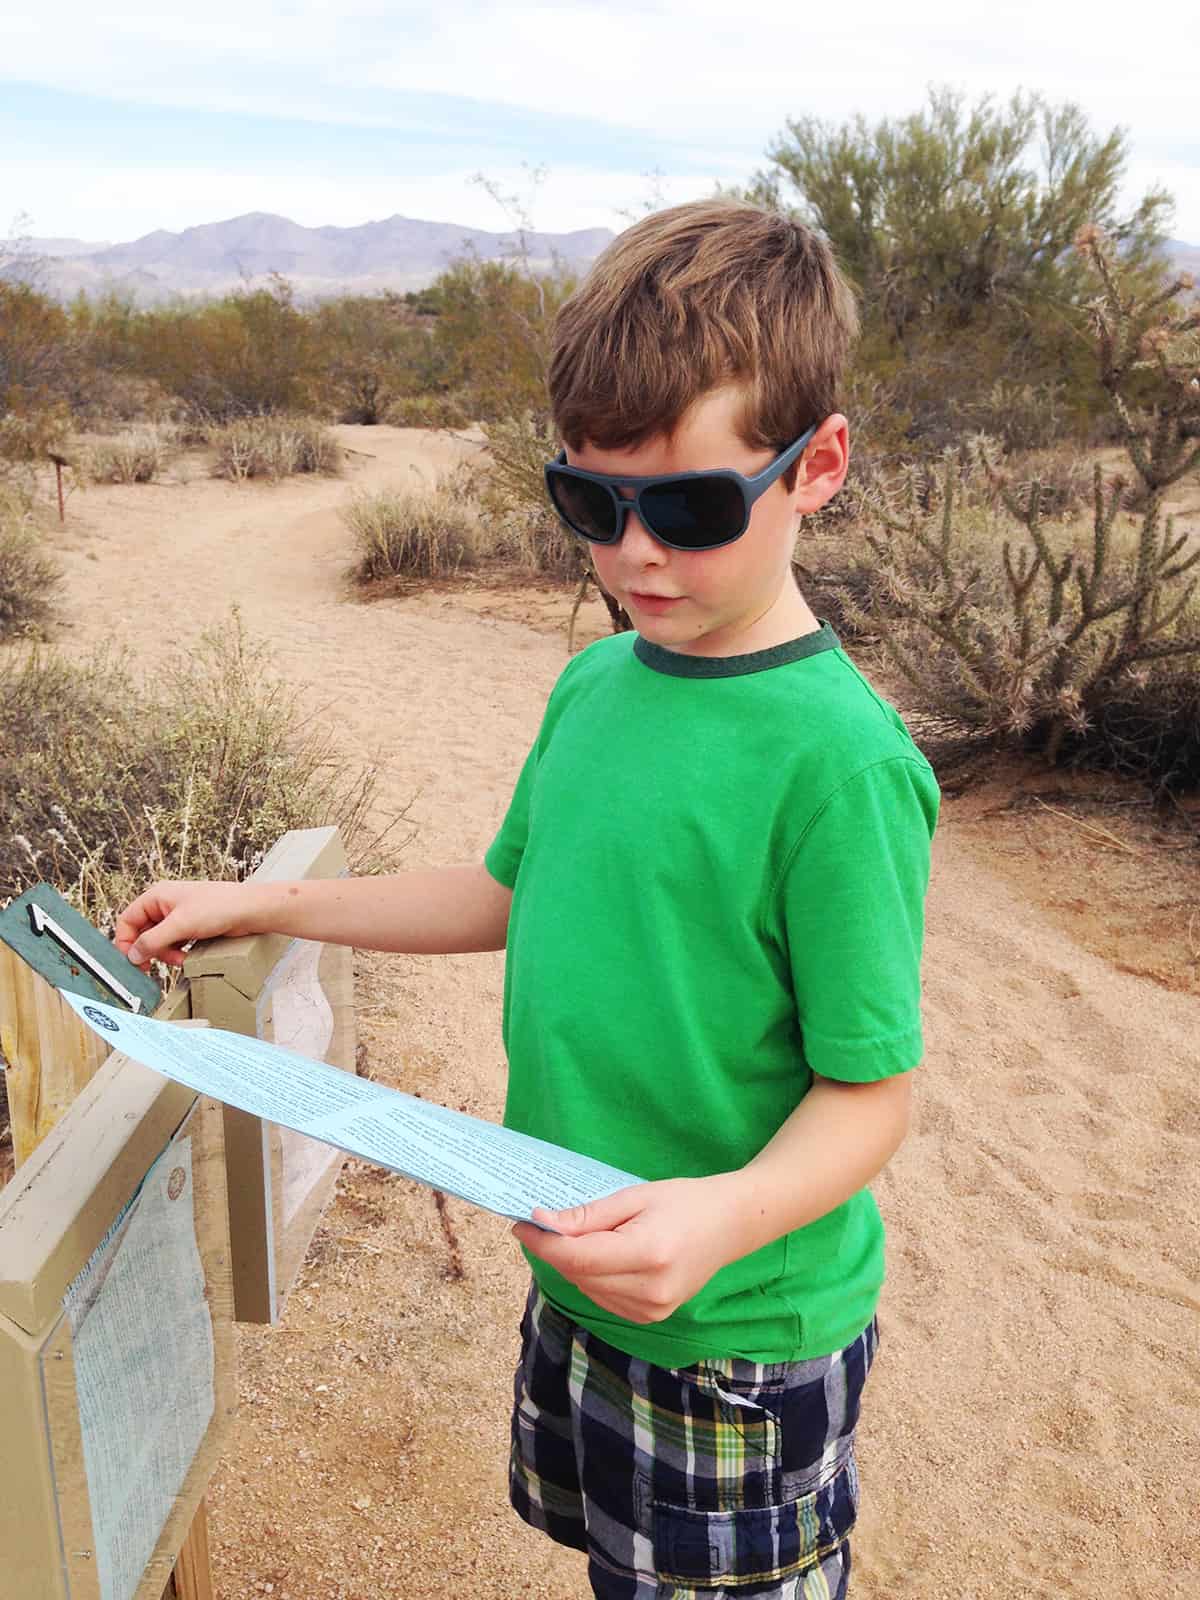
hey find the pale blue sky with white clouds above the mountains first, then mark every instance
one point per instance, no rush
(121, 122)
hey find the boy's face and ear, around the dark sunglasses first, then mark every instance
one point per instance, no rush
(740, 598)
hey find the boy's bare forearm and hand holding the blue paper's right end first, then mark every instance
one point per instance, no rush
(646, 1250)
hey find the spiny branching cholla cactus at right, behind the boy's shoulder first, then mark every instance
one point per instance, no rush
(1034, 647)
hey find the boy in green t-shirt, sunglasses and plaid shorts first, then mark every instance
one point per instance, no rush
(710, 884)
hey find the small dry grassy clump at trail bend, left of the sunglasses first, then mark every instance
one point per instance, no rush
(425, 532)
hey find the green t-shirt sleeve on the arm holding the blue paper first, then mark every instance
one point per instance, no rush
(854, 913)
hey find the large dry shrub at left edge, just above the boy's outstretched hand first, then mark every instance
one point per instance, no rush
(108, 785)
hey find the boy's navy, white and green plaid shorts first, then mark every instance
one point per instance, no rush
(719, 1479)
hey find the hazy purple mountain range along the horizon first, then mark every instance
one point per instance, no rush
(396, 254)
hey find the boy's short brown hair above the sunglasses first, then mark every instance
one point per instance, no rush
(702, 295)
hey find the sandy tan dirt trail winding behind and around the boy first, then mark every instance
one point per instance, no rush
(1033, 1423)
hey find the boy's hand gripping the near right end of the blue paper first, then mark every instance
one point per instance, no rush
(644, 1250)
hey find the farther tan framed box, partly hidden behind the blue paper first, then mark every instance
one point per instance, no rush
(298, 994)
